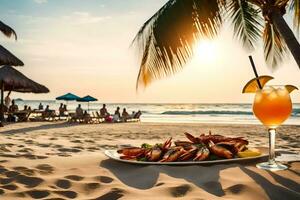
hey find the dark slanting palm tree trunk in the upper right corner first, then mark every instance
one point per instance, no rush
(287, 35)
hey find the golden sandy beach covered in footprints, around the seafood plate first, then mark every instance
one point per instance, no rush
(45, 160)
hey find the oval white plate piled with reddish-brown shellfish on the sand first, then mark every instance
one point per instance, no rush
(203, 149)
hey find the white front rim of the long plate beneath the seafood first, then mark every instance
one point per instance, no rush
(115, 156)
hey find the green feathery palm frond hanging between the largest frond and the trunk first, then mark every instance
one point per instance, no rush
(247, 22)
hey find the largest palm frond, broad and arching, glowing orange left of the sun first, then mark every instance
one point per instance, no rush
(166, 40)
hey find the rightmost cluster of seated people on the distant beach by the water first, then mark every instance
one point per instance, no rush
(117, 116)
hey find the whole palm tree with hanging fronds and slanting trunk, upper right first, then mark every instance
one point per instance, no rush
(166, 40)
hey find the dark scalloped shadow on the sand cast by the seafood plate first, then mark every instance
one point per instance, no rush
(146, 176)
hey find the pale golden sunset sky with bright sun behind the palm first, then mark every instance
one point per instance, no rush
(83, 46)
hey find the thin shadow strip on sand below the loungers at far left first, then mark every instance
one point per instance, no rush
(36, 128)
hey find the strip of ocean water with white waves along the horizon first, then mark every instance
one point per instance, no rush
(177, 113)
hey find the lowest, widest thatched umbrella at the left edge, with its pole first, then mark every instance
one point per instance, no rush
(13, 80)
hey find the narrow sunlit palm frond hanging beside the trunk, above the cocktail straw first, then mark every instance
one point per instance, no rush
(275, 48)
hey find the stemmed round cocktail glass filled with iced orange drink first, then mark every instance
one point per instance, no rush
(272, 106)
